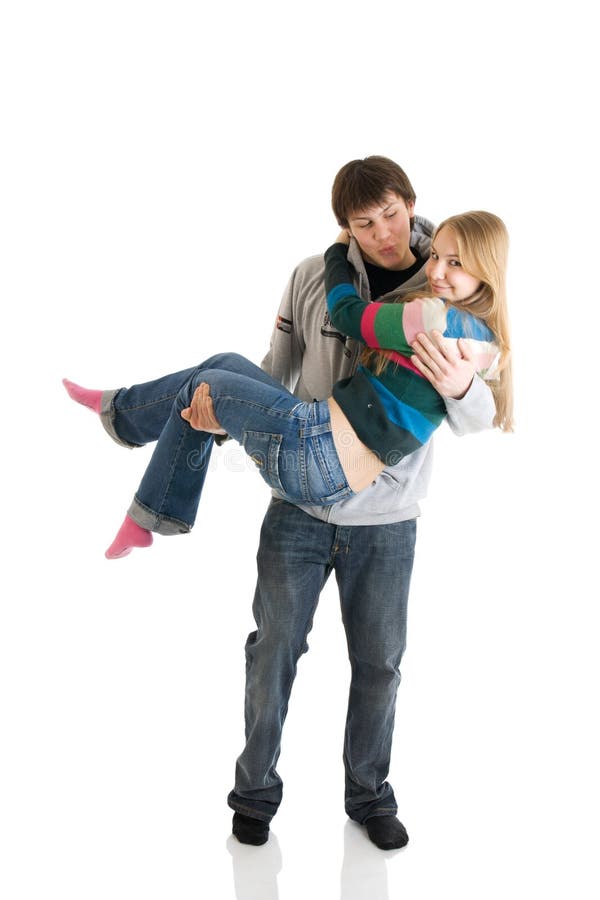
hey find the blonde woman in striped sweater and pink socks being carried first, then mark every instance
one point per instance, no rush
(322, 451)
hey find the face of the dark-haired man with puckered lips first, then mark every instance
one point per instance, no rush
(383, 232)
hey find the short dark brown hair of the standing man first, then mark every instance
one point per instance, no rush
(364, 182)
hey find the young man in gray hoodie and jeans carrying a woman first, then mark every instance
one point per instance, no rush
(367, 540)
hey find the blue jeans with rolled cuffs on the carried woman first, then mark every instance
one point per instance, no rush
(290, 441)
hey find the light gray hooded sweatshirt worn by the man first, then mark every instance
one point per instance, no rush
(308, 356)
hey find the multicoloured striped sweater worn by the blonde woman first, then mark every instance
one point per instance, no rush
(396, 412)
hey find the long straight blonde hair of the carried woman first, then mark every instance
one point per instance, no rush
(482, 241)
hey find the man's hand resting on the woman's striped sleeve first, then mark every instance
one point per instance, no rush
(450, 373)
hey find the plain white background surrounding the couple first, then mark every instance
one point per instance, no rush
(164, 167)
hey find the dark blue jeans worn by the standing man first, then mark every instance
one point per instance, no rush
(373, 566)
